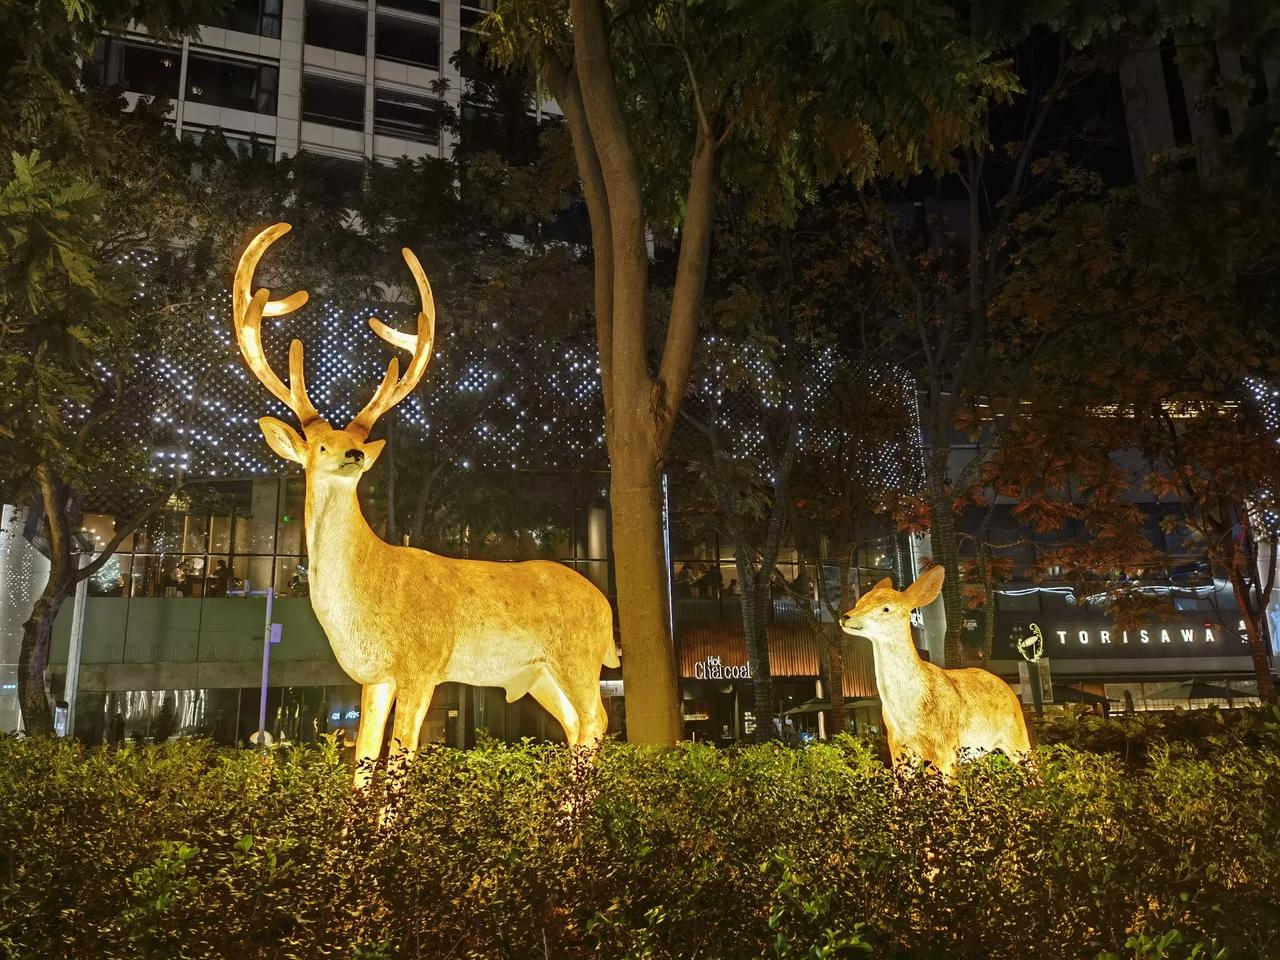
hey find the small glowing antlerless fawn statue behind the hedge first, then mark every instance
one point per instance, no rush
(936, 715)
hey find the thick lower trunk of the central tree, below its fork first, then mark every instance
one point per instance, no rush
(641, 572)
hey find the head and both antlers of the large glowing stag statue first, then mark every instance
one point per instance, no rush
(337, 455)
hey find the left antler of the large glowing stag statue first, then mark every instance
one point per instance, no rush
(249, 310)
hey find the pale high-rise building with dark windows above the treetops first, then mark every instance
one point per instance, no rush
(344, 81)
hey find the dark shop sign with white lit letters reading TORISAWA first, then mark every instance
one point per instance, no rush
(1158, 641)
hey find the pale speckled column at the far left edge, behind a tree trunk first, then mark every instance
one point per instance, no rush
(24, 574)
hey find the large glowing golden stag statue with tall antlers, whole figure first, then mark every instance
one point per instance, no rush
(403, 620)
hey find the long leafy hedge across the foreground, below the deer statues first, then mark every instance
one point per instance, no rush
(188, 851)
